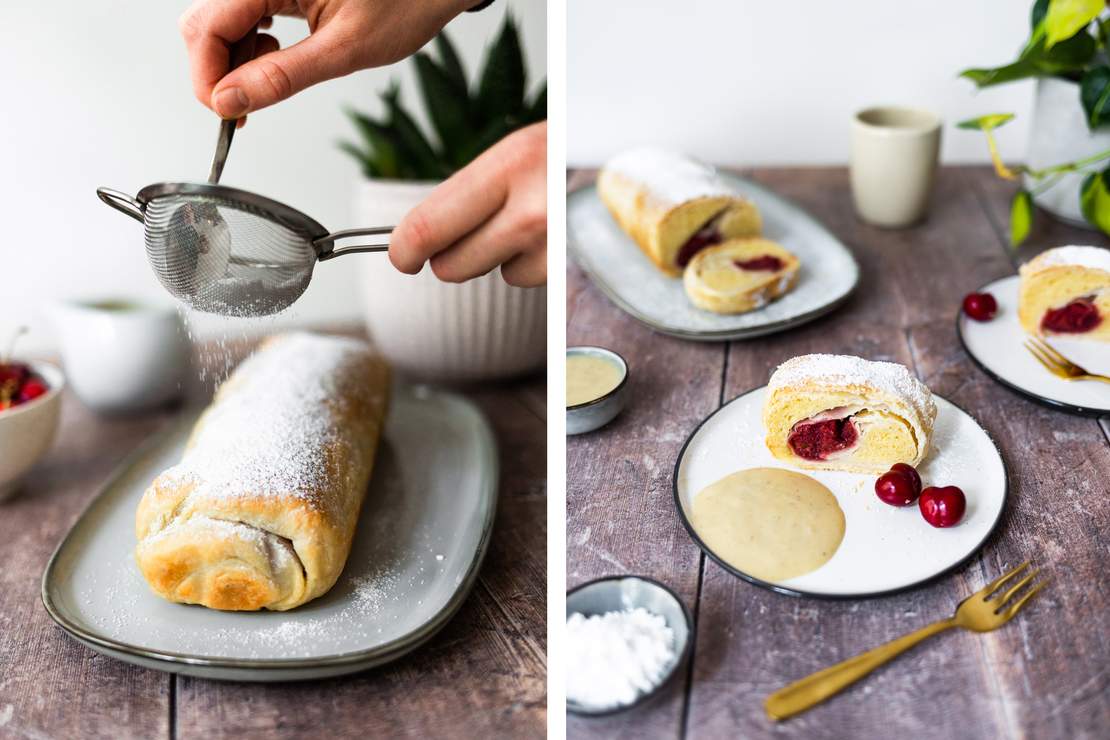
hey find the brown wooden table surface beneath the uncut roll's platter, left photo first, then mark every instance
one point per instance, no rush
(485, 675)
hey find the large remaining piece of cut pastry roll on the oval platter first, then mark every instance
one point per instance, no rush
(673, 207)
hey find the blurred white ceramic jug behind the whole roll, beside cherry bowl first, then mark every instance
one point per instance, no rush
(124, 357)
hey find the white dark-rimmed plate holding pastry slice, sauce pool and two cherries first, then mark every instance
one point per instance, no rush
(886, 549)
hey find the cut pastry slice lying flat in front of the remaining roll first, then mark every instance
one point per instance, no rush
(740, 276)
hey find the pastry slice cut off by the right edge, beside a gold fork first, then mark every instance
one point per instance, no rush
(1067, 291)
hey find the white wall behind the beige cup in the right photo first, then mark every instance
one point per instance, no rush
(764, 83)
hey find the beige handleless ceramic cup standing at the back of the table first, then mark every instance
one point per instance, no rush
(894, 161)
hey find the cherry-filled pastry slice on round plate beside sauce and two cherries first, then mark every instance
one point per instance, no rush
(843, 413)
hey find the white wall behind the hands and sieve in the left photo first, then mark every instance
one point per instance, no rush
(97, 94)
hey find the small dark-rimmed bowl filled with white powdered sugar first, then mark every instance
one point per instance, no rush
(627, 636)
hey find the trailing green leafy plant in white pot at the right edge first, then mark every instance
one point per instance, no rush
(1066, 170)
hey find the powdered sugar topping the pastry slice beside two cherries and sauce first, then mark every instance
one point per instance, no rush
(892, 379)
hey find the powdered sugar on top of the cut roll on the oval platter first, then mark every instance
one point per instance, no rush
(669, 177)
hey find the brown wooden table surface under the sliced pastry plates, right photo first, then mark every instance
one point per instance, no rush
(1046, 675)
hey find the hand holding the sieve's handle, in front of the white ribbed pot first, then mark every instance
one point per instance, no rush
(492, 212)
